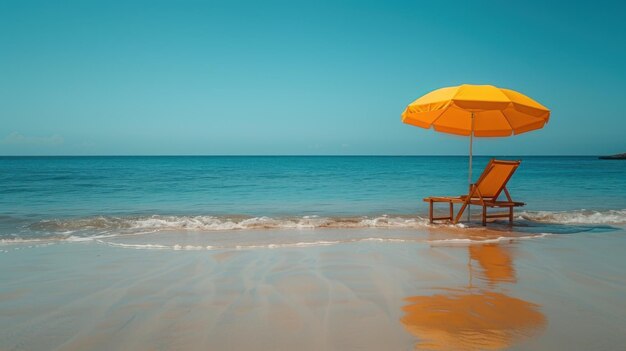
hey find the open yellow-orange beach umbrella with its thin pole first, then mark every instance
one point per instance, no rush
(476, 111)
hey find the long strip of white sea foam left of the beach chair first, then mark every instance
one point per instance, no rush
(95, 228)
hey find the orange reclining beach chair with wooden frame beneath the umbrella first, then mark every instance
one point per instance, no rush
(484, 193)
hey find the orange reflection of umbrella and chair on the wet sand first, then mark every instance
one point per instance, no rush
(474, 318)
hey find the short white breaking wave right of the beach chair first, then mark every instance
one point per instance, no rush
(576, 217)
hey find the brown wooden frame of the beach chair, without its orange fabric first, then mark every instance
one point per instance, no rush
(476, 198)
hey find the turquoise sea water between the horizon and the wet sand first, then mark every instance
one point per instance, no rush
(64, 196)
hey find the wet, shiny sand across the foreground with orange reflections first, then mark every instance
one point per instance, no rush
(551, 292)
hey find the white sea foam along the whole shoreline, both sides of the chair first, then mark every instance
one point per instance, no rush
(94, 228)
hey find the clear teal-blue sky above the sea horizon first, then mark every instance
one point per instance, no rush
(289, 77)
